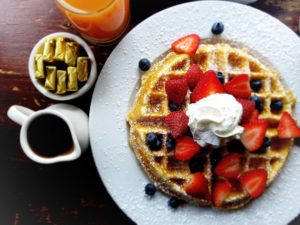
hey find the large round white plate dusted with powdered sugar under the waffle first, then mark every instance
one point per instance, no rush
(117, 84)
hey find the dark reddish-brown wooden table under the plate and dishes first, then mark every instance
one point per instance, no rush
(67, 193)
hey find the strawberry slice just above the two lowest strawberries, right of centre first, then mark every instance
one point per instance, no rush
(229, 167)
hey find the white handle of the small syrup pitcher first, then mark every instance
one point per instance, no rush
(19, 114)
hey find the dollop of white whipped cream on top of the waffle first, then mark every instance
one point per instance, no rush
(214, 120)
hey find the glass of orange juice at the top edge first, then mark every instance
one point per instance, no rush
(99, 21)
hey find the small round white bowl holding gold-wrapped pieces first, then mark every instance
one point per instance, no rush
(82, 90)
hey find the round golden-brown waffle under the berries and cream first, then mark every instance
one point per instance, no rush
(151, 106)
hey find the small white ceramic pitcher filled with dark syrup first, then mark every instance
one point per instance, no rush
(74, 118)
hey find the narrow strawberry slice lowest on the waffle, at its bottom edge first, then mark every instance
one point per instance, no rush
(220, 192)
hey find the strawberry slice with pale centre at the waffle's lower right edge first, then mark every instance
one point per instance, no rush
(254, 181)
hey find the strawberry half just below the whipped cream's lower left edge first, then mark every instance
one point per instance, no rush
(186, 148)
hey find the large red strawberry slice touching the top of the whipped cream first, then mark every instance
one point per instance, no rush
(209, 85)
